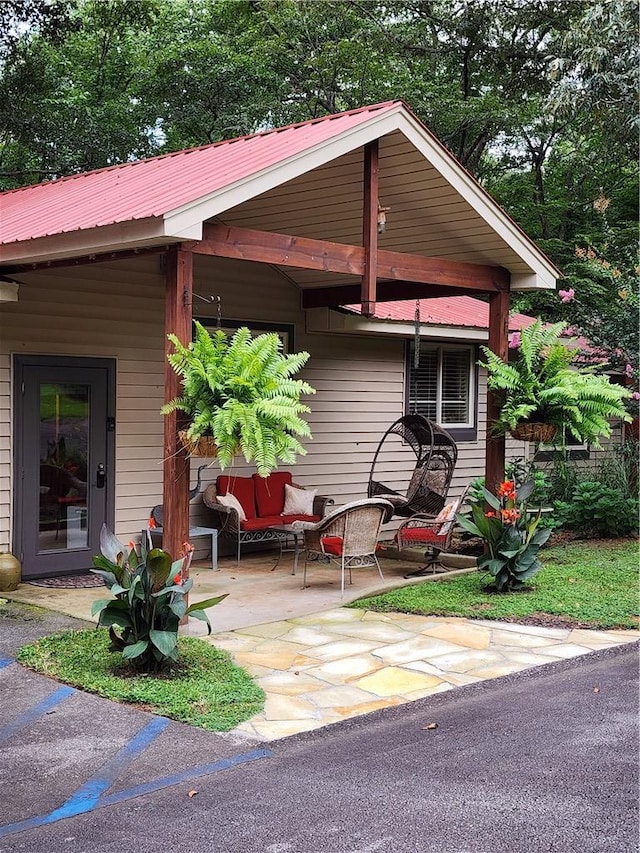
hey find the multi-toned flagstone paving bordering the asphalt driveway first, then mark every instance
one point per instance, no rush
(316, 670)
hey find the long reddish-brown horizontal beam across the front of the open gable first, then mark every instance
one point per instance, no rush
(305, 253)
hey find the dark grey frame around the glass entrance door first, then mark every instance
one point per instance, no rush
(19, 362)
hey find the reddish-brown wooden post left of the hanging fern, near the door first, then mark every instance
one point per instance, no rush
(176, 467)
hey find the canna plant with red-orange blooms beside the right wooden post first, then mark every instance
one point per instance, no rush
(512, 535)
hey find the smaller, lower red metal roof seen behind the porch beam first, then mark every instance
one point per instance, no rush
(462, 311)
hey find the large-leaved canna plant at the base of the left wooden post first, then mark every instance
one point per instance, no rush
(149, 590)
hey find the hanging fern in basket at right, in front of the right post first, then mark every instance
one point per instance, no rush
(543, 390)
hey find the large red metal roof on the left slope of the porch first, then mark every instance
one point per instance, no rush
(150, 188)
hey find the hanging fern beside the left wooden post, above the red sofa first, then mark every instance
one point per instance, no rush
(238, 393)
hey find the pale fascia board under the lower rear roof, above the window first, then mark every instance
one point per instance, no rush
(324, 320)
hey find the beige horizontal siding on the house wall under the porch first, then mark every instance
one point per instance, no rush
(116, 310)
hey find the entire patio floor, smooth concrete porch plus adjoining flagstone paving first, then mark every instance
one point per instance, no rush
(319, 661)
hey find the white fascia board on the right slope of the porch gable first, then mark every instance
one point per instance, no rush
(544, 272)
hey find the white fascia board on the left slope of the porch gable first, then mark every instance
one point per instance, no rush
(191, 215)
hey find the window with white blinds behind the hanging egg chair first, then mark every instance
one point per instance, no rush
(441, 387)
